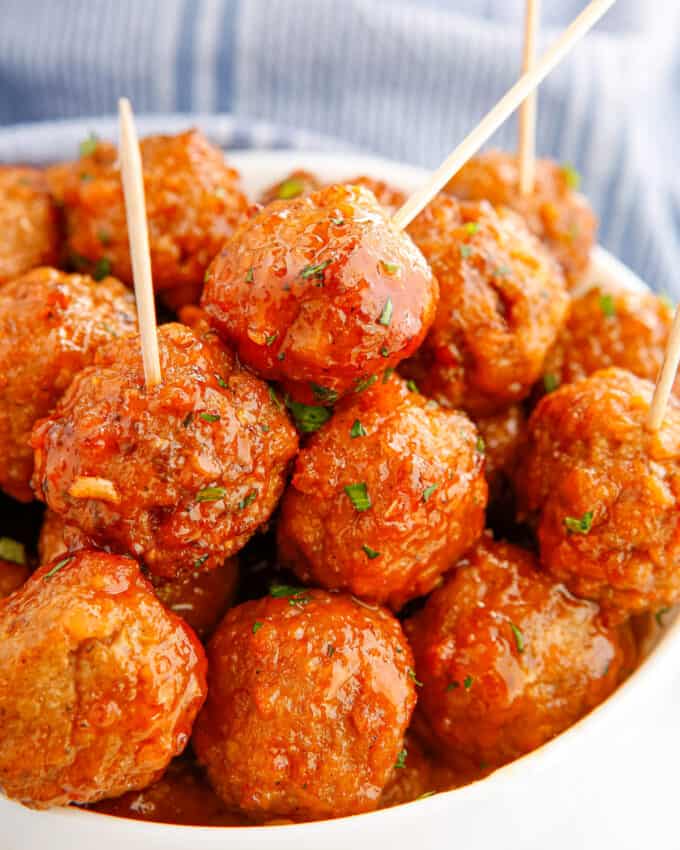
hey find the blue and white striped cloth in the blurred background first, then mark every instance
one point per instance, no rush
(402, 78)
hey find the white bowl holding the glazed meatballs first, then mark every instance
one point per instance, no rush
(607, 782)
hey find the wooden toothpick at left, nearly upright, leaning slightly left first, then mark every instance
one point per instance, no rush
(138, 235)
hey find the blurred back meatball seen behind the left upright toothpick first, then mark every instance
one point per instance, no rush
(193, 203)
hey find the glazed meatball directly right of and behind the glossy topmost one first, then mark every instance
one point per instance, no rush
(503, 302)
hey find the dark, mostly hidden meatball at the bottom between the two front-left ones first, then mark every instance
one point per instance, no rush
(181, 796)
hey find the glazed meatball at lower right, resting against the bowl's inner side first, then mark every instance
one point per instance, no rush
(507, 658)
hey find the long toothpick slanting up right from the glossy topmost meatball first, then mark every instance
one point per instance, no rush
(501, 111)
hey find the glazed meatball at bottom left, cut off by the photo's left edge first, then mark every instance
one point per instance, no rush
(98, 682)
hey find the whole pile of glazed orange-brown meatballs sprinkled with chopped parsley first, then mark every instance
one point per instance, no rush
(391, 520)
